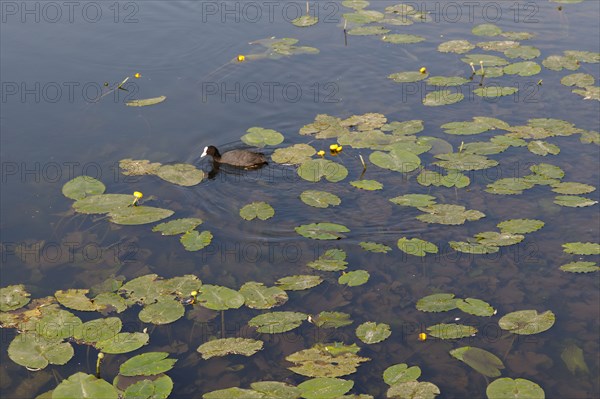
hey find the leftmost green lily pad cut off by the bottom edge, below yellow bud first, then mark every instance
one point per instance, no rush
(84, 386)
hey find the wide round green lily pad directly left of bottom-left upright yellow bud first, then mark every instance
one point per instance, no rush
(35, 351)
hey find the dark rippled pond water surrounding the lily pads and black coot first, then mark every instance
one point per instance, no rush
(64, 116)
